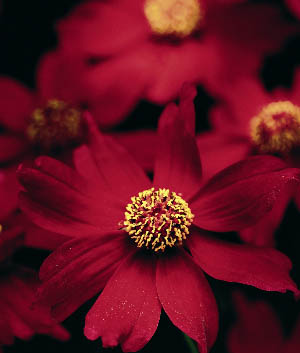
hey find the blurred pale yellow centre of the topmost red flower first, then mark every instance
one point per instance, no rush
(173, 17)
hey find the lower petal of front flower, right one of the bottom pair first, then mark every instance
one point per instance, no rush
(187, 298)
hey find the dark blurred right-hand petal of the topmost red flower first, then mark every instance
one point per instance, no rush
(245, 34)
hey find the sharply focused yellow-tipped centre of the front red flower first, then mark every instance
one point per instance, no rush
(156, 219)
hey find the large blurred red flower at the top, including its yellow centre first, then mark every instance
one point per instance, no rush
(127, 50)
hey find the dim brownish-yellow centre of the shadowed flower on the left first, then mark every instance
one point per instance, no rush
(57, 125)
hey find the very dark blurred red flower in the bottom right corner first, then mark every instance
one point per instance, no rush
(258, 329)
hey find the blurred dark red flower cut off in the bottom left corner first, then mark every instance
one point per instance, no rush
(19, 316)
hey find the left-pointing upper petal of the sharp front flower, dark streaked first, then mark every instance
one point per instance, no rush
(74, 206)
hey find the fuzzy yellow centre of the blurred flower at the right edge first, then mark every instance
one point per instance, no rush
(276, 129)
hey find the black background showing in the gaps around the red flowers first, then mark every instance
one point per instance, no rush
(27, 30)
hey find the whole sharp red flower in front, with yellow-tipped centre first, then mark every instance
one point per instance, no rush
(121, 223)
